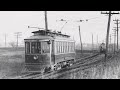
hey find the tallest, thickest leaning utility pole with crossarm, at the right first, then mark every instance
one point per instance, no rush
(108, 30)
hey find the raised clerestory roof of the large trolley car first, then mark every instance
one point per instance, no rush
(48, 35)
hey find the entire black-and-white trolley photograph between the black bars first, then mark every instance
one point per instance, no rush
(59, 45)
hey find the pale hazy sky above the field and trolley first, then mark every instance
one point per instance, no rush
(18, 21)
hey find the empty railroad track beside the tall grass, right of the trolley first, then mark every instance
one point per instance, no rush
(75, 68)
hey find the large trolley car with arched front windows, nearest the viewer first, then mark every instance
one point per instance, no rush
(47, 50)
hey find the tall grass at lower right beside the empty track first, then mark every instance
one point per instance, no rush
(109, 71)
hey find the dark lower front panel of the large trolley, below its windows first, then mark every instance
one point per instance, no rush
(38, 64)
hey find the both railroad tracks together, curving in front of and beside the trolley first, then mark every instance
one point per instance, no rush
(79, 64)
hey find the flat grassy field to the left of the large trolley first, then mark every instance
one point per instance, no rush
(11, 62)
